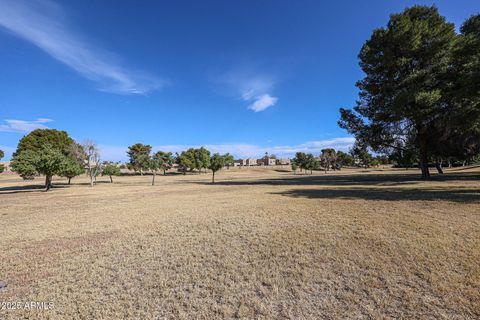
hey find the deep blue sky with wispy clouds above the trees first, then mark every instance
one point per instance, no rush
(236, 76)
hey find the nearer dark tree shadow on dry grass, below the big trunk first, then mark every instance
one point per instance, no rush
(459, 195)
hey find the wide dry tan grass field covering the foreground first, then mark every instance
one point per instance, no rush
(260, 243)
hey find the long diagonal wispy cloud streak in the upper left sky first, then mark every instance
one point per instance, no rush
(45, 24)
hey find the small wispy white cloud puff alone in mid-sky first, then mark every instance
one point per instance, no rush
(251, 87)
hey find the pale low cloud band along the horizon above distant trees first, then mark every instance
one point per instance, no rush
(241, 150)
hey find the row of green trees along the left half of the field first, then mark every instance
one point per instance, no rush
(51, 152)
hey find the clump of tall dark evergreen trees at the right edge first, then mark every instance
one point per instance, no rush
(419, 101)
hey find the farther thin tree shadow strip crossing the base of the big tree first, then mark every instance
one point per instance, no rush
(349, 179)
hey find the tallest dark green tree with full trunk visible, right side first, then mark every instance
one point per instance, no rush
(404, 90)
